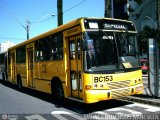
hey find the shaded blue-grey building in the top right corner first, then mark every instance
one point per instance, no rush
(145, 14)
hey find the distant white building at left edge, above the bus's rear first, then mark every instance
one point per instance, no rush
(4, 46)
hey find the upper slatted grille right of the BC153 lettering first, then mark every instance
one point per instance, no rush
(119, 84)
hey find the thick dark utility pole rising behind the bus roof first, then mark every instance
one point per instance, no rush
(60, 12)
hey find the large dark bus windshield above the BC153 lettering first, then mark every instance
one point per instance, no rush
(110, 50)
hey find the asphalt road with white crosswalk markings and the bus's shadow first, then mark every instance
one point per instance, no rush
(30, 104)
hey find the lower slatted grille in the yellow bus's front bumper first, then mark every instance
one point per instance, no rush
(120, 93)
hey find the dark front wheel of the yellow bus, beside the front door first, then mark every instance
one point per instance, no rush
(57, 91)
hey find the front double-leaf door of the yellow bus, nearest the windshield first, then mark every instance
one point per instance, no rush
(75, 66)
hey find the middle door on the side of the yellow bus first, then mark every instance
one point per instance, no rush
(29, 65)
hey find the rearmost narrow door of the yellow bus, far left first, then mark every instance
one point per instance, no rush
(13, 66)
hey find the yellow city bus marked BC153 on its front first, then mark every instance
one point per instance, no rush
(87, 59)
